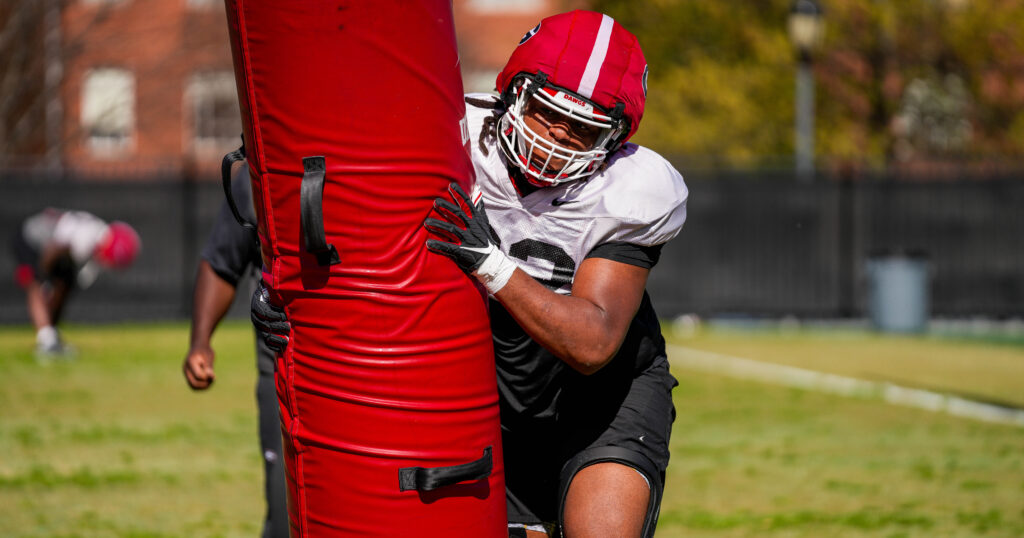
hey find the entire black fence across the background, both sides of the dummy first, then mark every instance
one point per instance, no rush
(753, 245)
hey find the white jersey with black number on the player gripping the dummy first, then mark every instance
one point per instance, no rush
(638, 199)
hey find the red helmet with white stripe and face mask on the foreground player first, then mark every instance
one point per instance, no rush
(585, 66)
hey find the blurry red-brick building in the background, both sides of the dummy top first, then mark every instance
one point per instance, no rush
(148, 85)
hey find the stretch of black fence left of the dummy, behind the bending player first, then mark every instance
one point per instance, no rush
(173, 216)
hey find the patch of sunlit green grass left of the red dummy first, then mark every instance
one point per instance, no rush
(115, 444)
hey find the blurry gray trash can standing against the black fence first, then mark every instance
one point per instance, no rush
(899, 292)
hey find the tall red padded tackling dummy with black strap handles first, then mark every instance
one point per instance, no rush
(354, 123)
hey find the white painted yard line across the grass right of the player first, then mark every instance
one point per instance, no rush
(838, 385)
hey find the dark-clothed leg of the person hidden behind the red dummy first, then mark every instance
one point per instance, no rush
(276, 490)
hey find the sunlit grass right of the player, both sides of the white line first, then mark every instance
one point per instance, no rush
(753, 460)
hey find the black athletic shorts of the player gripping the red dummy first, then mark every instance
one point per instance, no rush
(637, 418)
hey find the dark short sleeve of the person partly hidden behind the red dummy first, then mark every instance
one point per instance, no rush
(232, 250)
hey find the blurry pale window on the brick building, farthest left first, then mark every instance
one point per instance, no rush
(109, 109)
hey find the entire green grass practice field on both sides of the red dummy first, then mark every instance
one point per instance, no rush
(114, 444)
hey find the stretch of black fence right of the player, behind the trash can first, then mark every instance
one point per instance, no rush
(777, 247)
